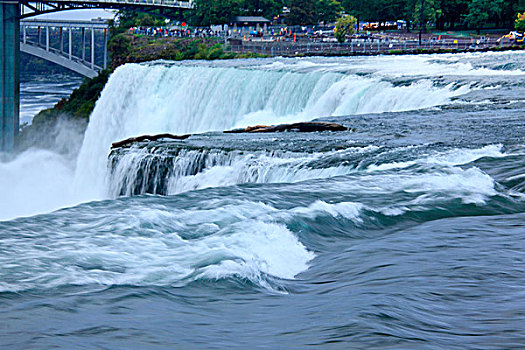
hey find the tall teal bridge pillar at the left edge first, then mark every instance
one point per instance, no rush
(10, 74)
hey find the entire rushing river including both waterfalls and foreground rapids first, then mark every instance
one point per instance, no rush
(407, 231)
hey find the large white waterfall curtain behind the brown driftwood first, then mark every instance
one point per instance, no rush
(157, 98)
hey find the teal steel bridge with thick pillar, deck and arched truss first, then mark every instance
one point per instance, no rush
(11, 14)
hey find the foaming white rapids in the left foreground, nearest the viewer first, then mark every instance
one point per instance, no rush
(148, 246)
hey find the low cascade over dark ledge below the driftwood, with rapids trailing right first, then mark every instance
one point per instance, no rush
(171, 170)
